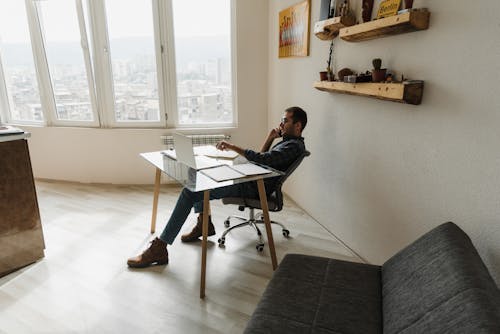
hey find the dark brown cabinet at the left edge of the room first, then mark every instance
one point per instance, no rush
(21, 236)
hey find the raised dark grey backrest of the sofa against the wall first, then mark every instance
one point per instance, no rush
(439, 283)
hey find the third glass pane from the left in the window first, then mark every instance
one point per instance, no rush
(131, 38)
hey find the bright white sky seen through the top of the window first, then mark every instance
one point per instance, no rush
(191, 18)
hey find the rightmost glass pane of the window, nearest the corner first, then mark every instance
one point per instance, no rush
(203, 61)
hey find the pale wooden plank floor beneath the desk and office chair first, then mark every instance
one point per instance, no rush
(84, 286)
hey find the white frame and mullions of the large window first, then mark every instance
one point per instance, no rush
(99, 69)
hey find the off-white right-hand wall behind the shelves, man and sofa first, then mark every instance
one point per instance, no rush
(383, 173)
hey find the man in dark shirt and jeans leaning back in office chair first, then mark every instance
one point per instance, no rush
(279, 157)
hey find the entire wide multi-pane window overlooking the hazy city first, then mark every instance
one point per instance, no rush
(117, 63)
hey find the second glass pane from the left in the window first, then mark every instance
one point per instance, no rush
(66, 60)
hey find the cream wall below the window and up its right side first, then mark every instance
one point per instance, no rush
(112, 155)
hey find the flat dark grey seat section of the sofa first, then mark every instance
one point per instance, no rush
(311, 294)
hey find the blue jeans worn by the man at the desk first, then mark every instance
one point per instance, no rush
(189, 199)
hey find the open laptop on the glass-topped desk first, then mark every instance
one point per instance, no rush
(184, 153)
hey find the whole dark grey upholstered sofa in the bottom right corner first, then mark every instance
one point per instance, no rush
(438, 284)
